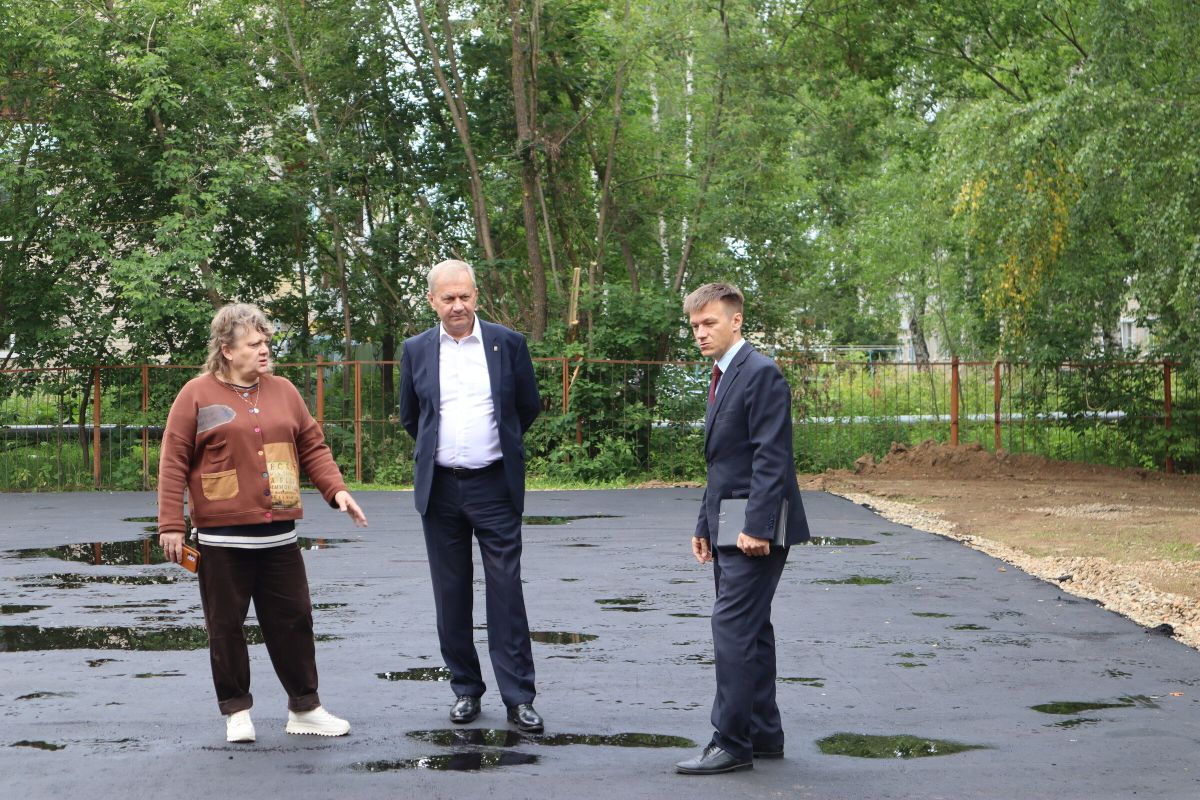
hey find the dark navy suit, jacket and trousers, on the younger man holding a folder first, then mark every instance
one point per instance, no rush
(748, 449)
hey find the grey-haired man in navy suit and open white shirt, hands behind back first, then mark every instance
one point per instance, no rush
(467, 396)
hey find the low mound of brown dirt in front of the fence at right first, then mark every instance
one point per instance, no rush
(973, 461)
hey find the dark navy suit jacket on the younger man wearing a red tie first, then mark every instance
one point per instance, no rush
(748, 447)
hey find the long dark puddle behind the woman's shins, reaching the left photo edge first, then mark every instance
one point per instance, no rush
(19, 639)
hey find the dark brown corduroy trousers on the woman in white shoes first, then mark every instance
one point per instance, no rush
(277, 581)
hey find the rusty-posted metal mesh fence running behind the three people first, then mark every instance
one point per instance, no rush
(635, 420)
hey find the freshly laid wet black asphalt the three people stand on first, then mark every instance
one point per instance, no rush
(958, 647)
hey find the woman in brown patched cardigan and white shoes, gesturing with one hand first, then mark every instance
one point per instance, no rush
(236, 441)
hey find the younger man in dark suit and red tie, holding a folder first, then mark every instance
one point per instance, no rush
(748, 448)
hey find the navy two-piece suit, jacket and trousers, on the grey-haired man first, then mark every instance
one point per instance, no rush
(485, 504)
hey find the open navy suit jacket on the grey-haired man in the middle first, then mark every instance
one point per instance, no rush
(514, 398)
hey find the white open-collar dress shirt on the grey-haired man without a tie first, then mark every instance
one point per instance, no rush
(467, 432)
